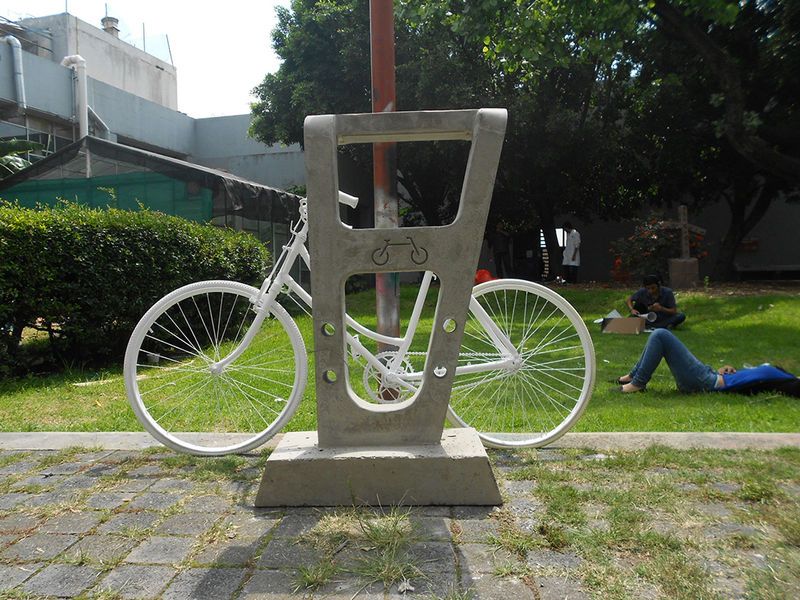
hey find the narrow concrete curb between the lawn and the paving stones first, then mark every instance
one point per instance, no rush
(596, 441)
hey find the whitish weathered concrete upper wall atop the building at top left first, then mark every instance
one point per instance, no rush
(110, 60)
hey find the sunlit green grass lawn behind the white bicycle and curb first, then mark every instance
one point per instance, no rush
(721, 328)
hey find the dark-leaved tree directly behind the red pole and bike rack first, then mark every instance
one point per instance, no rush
(439, 67)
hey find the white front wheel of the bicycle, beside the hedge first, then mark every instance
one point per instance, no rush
(181, 395)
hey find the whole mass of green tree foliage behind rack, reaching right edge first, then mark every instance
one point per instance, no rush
(613, 105)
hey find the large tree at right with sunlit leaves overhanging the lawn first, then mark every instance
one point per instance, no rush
(736, 66)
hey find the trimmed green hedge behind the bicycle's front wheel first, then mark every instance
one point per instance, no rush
(87, 275)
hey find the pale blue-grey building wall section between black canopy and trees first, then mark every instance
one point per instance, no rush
(222, 143)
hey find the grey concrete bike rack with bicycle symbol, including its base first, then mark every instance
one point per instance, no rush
(389, 453)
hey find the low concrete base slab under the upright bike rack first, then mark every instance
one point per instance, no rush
(454, 472)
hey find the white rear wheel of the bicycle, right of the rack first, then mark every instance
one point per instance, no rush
(532, 394)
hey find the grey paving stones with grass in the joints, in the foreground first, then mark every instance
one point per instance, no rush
(574, 524)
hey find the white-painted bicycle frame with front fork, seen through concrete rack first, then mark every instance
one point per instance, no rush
(280, 279)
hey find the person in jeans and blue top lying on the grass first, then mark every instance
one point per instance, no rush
(692, 375)
